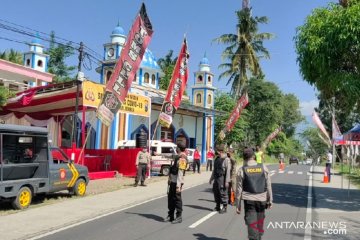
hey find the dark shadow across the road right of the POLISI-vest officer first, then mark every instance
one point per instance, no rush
(323, 197)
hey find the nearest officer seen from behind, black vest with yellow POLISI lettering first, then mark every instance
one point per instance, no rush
(254, 187)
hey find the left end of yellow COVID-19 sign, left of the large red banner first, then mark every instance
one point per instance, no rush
(92, 93)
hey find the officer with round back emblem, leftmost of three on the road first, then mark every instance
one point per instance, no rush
(175, 182)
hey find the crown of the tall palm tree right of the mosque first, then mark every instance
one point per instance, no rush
(243, 51)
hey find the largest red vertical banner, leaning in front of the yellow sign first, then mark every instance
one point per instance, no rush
(126, 67)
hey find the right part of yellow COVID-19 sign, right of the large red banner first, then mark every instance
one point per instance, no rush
(137, 105)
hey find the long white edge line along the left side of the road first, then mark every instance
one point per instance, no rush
(38, 236)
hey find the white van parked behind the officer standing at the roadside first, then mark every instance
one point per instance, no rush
(161, 154)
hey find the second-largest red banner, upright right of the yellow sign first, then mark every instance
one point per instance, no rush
(176, 87)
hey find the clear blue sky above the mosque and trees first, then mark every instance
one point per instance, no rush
(201, 20)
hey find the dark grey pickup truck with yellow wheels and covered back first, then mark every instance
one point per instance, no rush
(30, 166)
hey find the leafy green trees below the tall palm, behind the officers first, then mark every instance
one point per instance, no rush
(268, 109)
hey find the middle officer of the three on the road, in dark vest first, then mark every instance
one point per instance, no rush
(221, 178)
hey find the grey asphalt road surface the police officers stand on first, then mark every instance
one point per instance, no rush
(146, 221)
